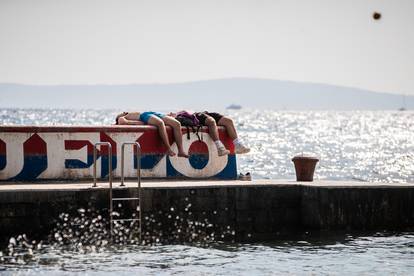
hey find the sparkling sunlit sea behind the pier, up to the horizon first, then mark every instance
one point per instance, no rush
(374, 146)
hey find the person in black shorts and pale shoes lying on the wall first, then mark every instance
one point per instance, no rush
(212, 120)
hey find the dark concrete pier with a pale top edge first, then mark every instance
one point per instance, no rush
(256, 210)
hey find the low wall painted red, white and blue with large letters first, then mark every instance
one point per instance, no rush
(41, 153)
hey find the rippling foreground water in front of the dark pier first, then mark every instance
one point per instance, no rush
(327, 253)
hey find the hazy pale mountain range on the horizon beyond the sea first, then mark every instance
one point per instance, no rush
(202, 95)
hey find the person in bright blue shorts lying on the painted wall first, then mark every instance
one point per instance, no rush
(159, 120)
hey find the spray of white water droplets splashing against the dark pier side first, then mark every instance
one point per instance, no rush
(86, 231)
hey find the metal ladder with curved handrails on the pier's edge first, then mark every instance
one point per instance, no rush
(111, 198)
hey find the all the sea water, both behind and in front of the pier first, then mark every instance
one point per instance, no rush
(367, 146)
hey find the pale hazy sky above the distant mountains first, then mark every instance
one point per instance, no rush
(119, 42)
